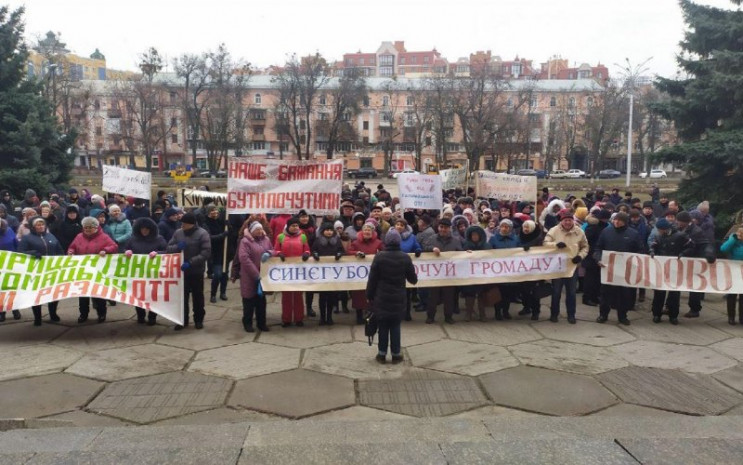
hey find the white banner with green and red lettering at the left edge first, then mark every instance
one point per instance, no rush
(150, 283)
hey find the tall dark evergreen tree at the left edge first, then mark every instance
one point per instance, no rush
(33, 152)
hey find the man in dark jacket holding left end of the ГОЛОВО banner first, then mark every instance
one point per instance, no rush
(619, 238)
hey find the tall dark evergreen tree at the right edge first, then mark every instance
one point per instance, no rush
(706, 105)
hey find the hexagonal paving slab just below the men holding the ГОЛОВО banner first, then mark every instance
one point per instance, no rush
(689, 331)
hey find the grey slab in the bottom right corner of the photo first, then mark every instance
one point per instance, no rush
(699, 451)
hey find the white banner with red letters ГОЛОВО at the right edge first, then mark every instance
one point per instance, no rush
(672, 274)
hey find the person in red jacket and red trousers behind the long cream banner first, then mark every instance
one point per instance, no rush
(292, 243)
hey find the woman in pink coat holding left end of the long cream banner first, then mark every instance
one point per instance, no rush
(253, 249)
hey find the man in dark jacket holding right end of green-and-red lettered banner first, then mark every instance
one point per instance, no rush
(196, 246)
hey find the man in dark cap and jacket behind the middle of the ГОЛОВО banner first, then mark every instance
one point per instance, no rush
(668, 243)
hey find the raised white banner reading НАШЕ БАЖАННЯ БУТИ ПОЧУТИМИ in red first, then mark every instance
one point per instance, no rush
(283, 186)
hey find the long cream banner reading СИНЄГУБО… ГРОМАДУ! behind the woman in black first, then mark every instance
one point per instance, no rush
(448, 269)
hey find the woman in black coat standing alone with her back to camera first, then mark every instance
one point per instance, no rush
(387, 294)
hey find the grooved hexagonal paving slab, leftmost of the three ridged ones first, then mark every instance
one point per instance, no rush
(153, 398)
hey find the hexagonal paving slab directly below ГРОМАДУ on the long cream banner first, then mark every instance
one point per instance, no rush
(502, 333)
